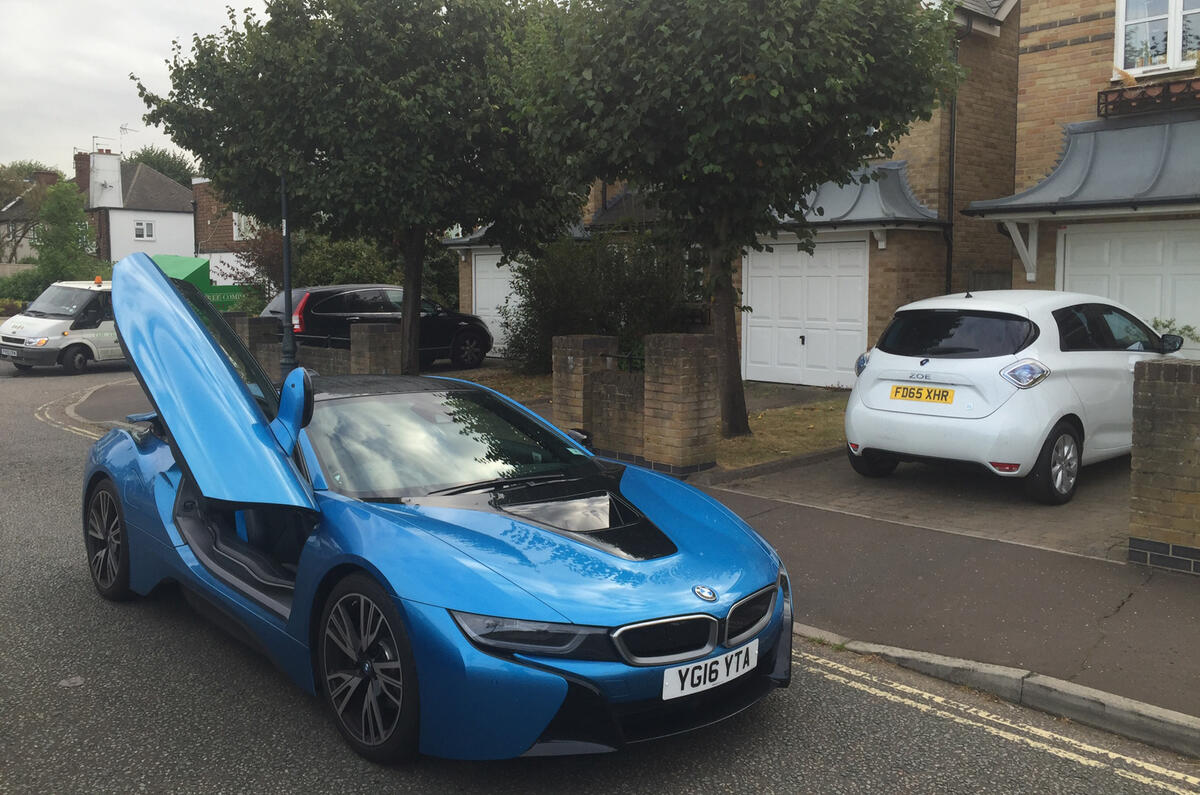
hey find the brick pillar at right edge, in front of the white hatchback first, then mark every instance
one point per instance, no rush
(1165, 485)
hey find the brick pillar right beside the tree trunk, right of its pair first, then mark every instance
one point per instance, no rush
(682, 411)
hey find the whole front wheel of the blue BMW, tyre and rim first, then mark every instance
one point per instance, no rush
(367, 672)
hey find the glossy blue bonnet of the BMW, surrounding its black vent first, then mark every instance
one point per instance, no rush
(591, 584)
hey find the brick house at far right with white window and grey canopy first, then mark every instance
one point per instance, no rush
(1107, 180)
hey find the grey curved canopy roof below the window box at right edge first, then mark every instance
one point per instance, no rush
(1129, 163)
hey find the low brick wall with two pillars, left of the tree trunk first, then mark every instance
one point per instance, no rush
(665, 419)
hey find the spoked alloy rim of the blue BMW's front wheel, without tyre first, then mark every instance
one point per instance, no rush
(363, 671)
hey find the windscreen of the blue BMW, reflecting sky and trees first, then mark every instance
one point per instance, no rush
(403, 445)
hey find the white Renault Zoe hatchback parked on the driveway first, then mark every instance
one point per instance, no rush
(1027, 384)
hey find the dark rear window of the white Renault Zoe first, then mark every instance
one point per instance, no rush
(957, 334)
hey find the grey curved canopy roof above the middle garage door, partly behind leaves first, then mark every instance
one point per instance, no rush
(887, 201)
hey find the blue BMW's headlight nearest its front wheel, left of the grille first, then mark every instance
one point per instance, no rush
(543, 638)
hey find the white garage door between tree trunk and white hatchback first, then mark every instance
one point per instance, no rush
(809, 319)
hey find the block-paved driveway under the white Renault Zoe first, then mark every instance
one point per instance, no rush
(965, 501)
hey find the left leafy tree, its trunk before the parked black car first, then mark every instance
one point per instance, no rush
(391, 121)
